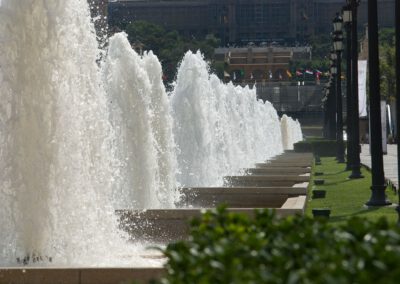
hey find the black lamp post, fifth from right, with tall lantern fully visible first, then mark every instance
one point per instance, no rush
(338, 47)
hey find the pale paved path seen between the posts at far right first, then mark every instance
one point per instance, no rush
(389, 161)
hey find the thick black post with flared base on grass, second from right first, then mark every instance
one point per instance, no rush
(378, 196)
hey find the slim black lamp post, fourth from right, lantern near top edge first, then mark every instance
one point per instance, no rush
(347, 18)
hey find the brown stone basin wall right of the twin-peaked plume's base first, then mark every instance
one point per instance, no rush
(260, 197)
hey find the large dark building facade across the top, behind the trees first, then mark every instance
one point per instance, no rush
(243, 21)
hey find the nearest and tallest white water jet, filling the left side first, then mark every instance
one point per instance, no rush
(56, 143)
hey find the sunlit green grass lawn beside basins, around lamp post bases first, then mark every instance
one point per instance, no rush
(345, 197)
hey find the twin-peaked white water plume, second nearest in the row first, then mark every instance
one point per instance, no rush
(140, 115)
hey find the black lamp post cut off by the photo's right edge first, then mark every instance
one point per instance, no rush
(397, 17)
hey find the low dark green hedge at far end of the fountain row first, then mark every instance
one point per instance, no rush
(322, 148)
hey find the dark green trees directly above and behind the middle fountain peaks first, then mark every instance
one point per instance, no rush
(169, 46)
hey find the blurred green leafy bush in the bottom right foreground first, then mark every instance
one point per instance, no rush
(231, 248)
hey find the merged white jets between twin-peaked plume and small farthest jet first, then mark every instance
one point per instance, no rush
(219, 128)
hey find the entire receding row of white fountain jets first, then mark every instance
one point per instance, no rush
(79, 139)
